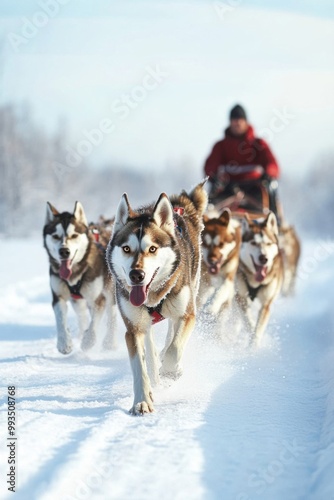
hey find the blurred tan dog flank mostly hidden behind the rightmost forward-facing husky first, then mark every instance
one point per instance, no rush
(290, 246)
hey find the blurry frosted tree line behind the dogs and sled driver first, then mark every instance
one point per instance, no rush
(33, 171)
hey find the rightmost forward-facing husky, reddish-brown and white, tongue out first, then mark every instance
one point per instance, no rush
(260, 272)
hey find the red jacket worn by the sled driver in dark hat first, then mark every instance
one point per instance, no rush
(245, 150)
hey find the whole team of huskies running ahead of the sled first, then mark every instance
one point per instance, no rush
(163, 261)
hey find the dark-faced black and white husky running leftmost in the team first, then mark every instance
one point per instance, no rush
(78, 273)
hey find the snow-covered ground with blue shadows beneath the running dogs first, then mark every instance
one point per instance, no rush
(237, 426)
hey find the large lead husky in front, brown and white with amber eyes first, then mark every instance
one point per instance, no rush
(154, 255)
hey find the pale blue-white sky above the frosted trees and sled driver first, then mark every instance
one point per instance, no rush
(90, 55)
